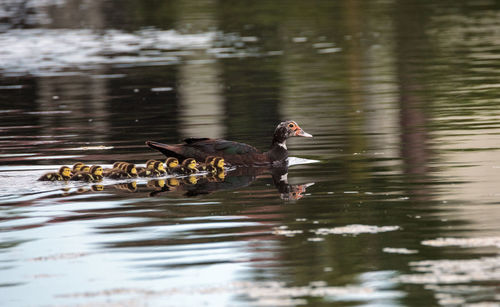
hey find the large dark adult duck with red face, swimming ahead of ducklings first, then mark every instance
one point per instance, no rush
(234, 153)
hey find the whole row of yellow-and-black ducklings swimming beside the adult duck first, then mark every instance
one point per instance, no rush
(123, 170)
